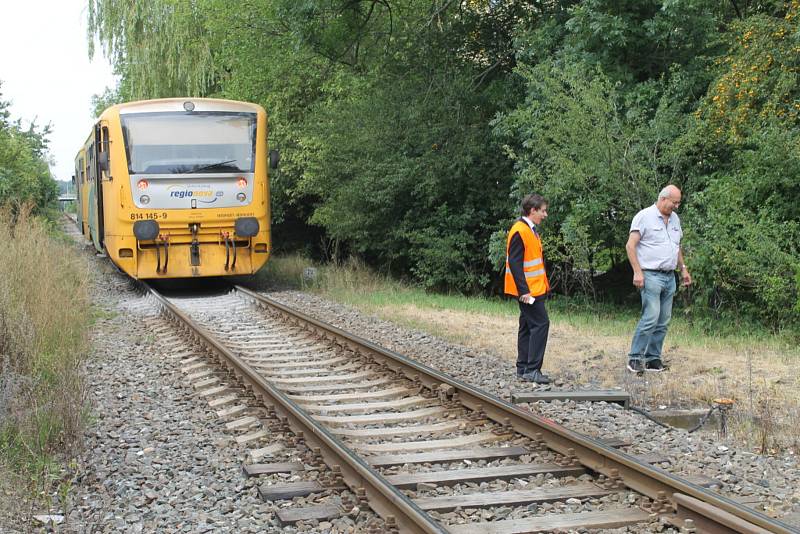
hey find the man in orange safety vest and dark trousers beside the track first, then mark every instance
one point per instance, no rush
(526, 279)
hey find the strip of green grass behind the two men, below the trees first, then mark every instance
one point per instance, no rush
(351, 282)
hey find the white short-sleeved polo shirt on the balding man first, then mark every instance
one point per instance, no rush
(660, 243)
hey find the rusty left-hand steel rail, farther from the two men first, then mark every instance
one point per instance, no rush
(384, 498)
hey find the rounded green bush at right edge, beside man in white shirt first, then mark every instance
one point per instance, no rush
(746, 232)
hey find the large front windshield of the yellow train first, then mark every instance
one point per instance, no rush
(189, 142)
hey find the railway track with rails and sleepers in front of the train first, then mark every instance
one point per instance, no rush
(424, 451)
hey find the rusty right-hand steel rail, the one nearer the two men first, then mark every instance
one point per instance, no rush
(644, 478)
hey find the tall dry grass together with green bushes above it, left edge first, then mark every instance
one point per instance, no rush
(43, 329)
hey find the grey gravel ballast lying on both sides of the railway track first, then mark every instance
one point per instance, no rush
(159, 460)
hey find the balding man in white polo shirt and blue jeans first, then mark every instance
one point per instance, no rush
(654, 250)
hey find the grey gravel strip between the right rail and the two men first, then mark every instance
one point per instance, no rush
(771, 484)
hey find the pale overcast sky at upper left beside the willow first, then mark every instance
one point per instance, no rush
(46, 72)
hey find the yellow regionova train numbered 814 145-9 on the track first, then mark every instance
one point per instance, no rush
(177, 187)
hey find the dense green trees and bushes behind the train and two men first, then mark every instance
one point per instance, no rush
(410, 130)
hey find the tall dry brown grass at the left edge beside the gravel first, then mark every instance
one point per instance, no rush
(44, 313)
